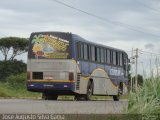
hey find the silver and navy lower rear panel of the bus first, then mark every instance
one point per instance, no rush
(55, 74)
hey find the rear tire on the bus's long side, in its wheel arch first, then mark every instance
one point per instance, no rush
(89, 91)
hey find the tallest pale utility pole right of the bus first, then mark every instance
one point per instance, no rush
(136, 76)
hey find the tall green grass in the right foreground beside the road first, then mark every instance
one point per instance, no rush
(146, 100)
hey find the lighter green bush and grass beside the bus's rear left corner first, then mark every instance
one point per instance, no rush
(15, 87)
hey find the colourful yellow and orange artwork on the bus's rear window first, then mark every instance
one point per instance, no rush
(49, 46)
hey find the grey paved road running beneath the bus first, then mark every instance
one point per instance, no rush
(61, 107)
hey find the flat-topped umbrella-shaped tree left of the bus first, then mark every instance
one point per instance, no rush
(14, 44)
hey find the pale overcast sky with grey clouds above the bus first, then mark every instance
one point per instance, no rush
(123, 24)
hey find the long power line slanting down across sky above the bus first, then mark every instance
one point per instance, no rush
(131, 27)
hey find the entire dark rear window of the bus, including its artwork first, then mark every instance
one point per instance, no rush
(49, 46)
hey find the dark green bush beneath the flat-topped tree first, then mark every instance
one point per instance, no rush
(8, 68)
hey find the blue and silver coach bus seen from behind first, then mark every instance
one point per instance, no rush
(62, 63)
